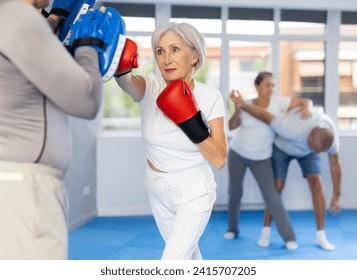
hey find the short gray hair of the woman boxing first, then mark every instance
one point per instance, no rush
(190, 36)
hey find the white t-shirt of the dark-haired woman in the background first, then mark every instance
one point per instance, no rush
(254, 139)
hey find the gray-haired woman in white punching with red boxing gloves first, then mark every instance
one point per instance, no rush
(180, 148)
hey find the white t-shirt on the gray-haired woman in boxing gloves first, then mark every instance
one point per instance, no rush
(167, 147)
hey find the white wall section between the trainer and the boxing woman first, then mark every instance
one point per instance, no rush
(120, 176)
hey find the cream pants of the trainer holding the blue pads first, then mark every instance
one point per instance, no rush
(33, 211)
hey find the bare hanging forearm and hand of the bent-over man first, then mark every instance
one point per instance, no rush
(335, 168)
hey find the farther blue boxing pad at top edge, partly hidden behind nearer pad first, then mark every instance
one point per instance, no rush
(78, 8)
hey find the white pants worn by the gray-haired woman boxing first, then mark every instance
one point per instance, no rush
(181, 203)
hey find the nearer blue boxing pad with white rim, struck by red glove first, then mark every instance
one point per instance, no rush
(105, 32)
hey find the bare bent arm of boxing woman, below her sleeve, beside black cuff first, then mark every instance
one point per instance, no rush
(214, 148)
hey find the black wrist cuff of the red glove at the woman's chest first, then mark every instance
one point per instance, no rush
(195, 128)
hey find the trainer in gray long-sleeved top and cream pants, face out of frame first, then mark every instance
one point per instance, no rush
(41, 85)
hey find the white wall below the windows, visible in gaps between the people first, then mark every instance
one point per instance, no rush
(121, 169)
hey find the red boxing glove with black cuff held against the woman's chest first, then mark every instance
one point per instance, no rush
(178, 103)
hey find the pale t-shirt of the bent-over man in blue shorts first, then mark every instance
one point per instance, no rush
(293, 132)
